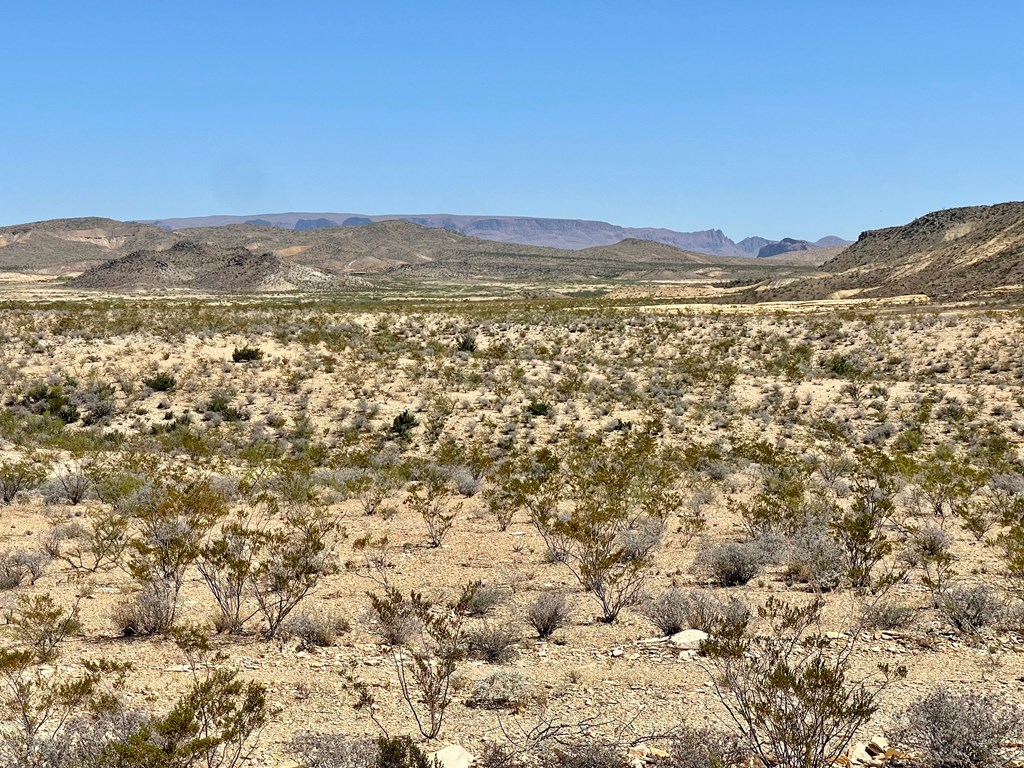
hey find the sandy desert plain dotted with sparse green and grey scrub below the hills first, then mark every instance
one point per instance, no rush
(685, 465)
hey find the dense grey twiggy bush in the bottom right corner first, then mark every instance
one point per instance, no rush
(960, 731)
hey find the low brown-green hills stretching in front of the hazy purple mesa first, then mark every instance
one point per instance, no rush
(131, 257)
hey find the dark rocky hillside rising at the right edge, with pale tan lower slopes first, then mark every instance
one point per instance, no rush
(955, 254)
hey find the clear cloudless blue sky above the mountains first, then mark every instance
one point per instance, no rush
(781, 119)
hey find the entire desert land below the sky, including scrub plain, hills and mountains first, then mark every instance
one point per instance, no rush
(275, 490)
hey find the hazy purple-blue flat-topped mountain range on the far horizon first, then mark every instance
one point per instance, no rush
(563, 234)
